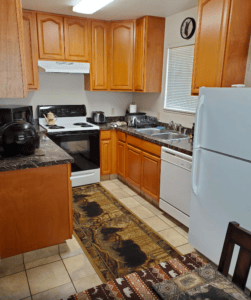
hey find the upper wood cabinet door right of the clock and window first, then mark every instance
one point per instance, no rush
(211, 36)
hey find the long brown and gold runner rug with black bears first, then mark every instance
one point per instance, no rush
(115, 240)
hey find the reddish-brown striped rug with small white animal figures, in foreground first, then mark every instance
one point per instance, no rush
(138, 285)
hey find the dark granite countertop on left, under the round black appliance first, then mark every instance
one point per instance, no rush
(52, 155)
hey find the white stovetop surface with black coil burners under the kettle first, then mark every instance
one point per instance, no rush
(68, 124)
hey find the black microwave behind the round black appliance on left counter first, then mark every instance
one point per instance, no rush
(11, 113)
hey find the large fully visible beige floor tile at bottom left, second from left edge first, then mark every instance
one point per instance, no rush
(47, 277)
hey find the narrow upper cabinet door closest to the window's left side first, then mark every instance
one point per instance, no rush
(140, 54)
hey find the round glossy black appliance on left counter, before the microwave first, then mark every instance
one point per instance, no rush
(18, 138)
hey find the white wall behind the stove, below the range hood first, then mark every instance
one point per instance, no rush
(69, 89)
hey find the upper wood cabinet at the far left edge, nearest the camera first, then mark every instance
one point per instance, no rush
(13, 80)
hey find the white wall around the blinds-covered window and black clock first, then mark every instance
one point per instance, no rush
(153, 103)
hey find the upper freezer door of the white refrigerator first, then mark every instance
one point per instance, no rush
(223, 121)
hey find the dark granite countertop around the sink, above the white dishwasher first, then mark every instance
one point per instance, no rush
(182, 145)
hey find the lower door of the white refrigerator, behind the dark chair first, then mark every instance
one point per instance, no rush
(221, 194)
